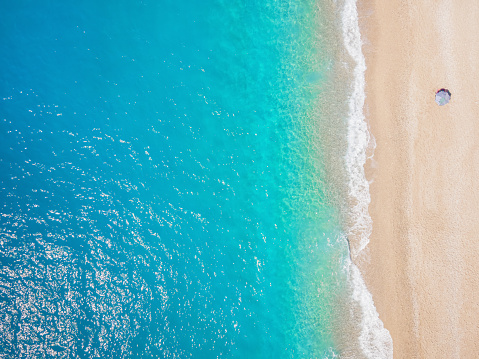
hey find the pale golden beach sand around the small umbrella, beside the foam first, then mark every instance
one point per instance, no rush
(422, 262)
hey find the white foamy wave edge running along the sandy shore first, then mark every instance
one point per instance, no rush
(374, 340)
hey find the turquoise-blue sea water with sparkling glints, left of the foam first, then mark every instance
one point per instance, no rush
(164, 192)
